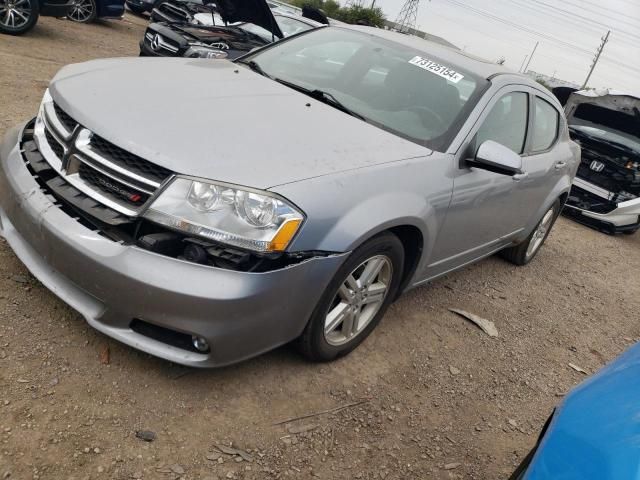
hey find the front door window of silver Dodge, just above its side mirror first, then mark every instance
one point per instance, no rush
(506, 123)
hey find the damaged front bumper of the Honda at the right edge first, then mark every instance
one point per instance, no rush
(589, 204)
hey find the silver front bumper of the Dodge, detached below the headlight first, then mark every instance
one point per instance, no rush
(146, 300)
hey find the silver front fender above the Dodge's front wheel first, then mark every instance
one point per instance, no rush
(345, 209)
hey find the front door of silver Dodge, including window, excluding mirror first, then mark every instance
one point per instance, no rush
(486, 208)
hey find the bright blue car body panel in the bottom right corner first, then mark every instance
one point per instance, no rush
(595, 433)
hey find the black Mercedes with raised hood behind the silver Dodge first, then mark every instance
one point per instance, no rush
(190, 29)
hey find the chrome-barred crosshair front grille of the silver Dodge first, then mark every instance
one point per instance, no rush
(99, 169)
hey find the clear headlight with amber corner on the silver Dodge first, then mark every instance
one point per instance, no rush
(244, 218)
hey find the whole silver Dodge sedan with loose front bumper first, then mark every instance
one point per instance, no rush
(176, 217)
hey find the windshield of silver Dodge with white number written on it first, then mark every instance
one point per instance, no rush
(405, 91)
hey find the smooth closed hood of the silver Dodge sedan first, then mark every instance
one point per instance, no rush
(218, 120)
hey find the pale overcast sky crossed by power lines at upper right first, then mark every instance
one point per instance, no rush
(569, 32)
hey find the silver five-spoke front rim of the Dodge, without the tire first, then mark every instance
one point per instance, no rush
(358, 300)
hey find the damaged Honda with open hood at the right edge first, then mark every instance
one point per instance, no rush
(606, 190)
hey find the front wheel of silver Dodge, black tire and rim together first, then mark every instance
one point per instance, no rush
(355, 300)
